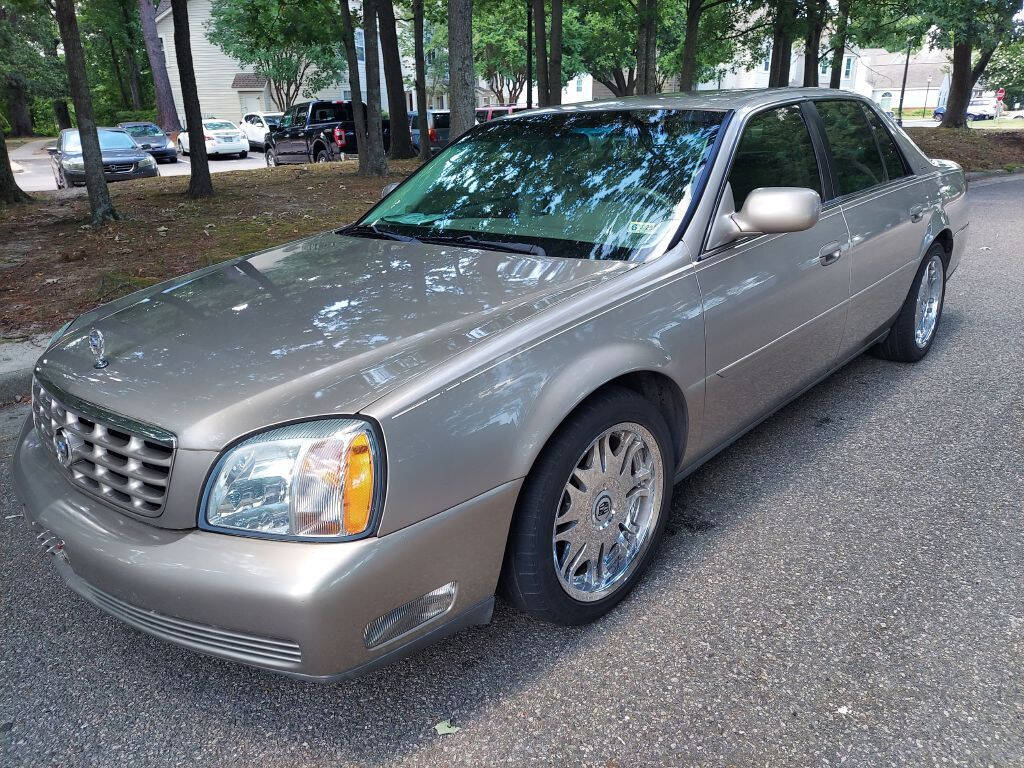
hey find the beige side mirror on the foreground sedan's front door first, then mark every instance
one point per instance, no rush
(767, 210)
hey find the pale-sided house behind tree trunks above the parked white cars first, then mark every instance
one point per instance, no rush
(226, 89)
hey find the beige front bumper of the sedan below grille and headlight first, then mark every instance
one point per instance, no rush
(292, 608)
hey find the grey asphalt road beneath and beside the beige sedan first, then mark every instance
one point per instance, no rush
(845, 586)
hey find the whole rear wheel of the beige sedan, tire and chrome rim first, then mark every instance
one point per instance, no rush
(912, 335)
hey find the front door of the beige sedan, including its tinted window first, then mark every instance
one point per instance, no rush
(775, 305)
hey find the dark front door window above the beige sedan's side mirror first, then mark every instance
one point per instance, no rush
(775, 151)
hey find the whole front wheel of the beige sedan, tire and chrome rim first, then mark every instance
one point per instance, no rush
(592, 511)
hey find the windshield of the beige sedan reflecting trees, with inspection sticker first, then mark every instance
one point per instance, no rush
(587, 185)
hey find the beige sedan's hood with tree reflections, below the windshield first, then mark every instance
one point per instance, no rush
(321, 326)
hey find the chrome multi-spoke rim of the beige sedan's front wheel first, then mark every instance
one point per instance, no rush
(609, 513)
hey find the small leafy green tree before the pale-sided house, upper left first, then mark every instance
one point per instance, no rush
(287, 44)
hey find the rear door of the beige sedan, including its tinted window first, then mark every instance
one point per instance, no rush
(886, 208)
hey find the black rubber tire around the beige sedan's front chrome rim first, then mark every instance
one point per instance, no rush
(530, 580)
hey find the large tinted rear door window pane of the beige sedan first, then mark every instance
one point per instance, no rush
(856, 155)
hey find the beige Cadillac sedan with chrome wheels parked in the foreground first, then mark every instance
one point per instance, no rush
(331, 453)
